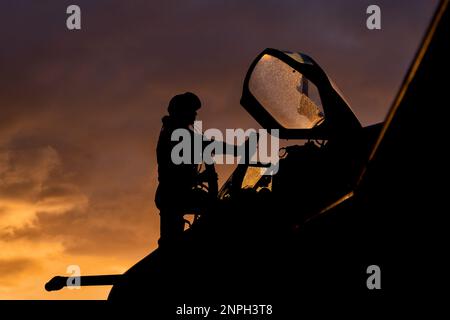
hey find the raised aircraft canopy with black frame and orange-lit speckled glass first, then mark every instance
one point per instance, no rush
(290, 92)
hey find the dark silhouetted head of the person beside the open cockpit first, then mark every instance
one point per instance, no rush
(183, 107)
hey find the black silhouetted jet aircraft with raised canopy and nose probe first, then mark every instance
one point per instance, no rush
(350, 197)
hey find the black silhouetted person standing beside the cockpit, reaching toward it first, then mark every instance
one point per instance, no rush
(175, 196)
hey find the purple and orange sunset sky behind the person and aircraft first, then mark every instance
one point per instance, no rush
(80, 111)
